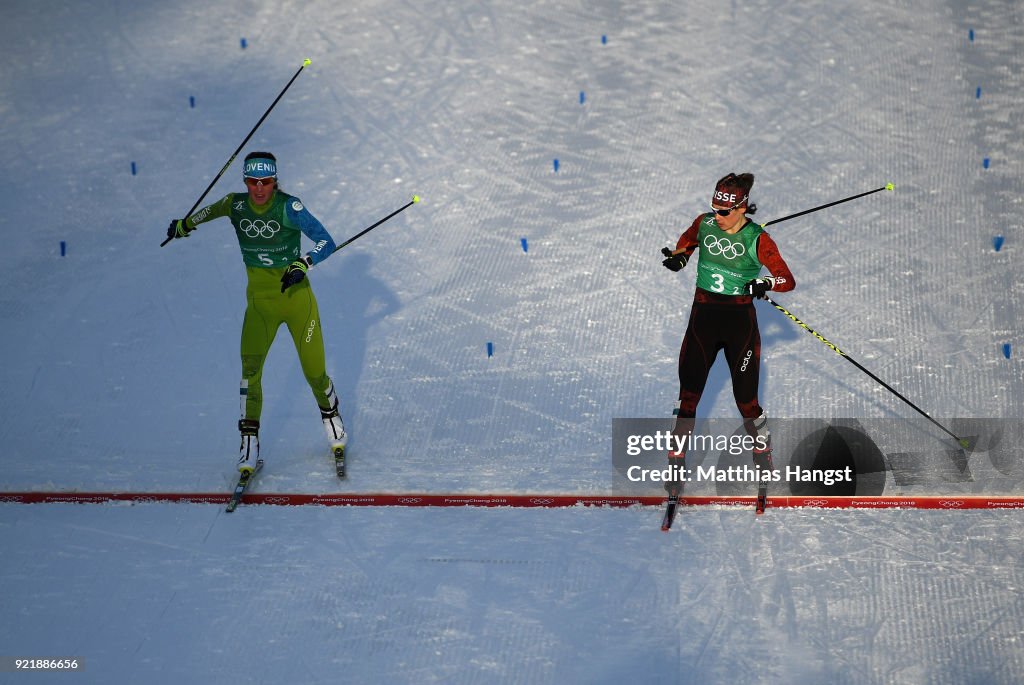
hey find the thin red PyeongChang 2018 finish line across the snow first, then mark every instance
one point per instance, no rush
(520, 501)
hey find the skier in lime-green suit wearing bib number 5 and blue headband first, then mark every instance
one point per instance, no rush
(270, 225)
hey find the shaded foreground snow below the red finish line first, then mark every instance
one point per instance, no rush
(156, 593)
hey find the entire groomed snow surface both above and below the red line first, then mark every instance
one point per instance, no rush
(121, 358)
